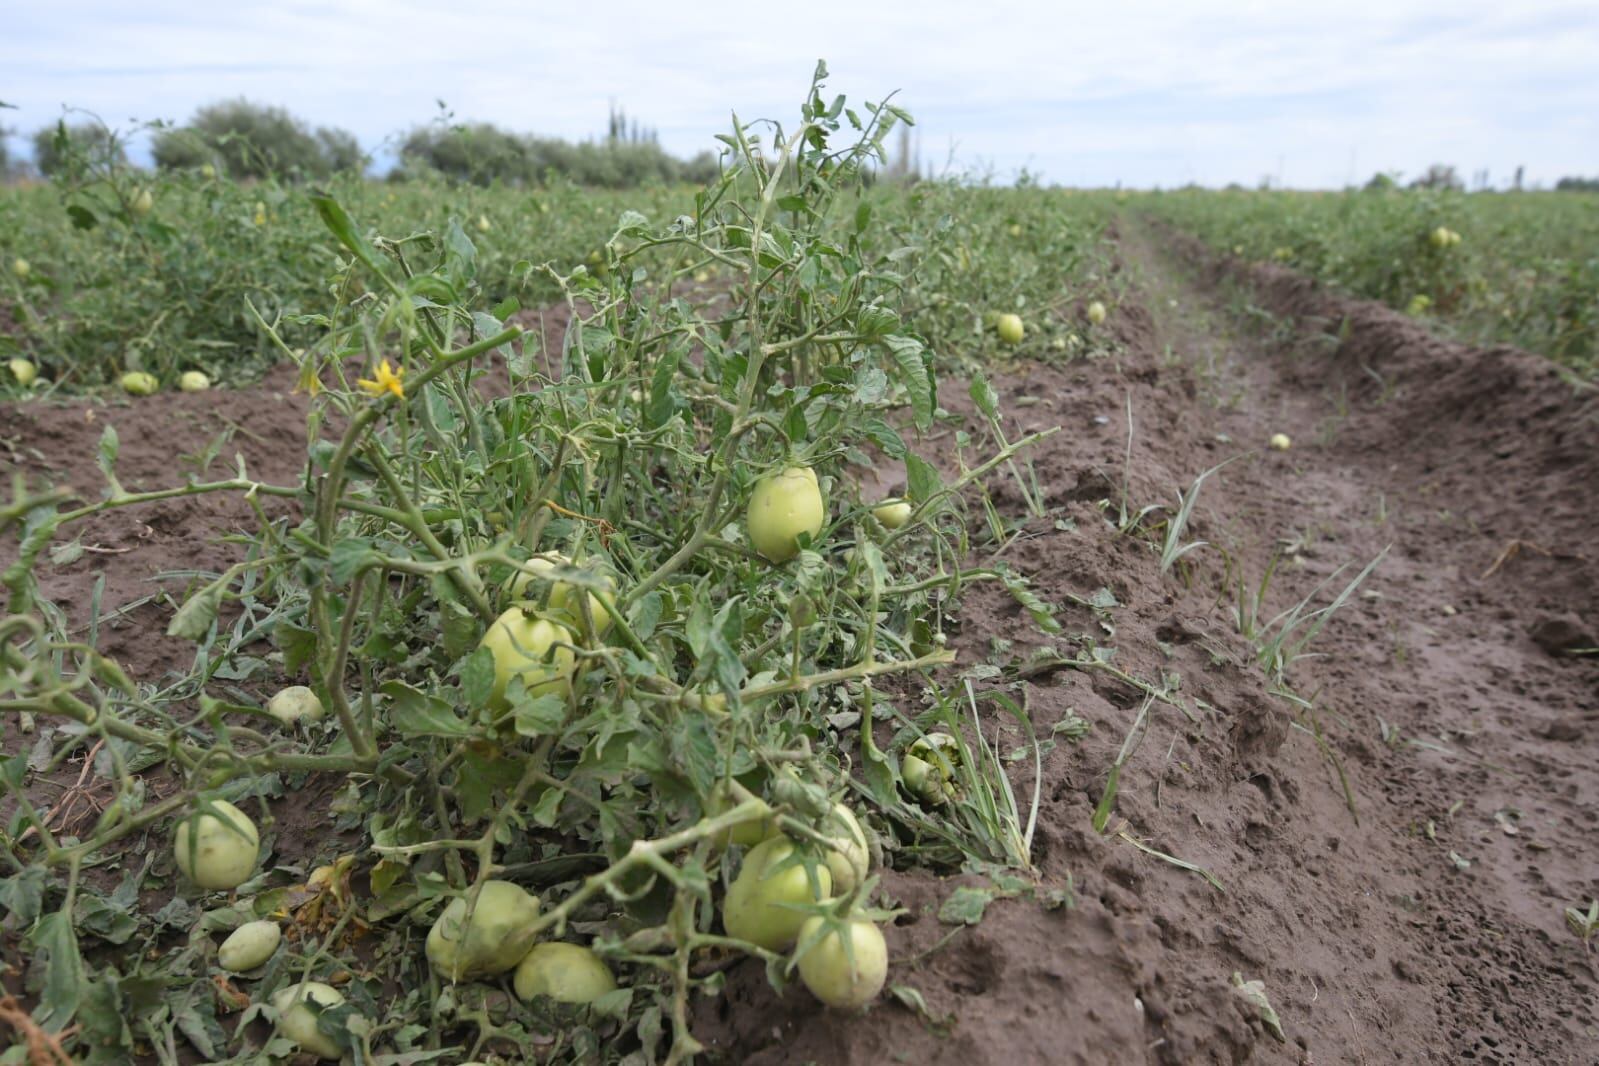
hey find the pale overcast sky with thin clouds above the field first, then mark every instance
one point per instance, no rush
(1134, 92)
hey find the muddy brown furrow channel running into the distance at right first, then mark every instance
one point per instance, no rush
(1465, 726)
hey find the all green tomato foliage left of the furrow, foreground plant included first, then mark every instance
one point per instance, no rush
(663, 685)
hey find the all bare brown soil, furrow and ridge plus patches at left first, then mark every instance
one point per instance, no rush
(1413, 918)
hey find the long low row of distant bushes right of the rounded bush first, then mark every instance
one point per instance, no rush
(484, 154)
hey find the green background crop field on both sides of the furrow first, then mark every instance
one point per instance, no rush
(167, 272)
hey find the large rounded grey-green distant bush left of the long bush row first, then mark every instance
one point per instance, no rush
(255, 141)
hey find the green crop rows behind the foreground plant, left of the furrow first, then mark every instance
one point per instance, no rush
(177, 271)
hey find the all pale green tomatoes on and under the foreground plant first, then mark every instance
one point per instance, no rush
(778, 902)
